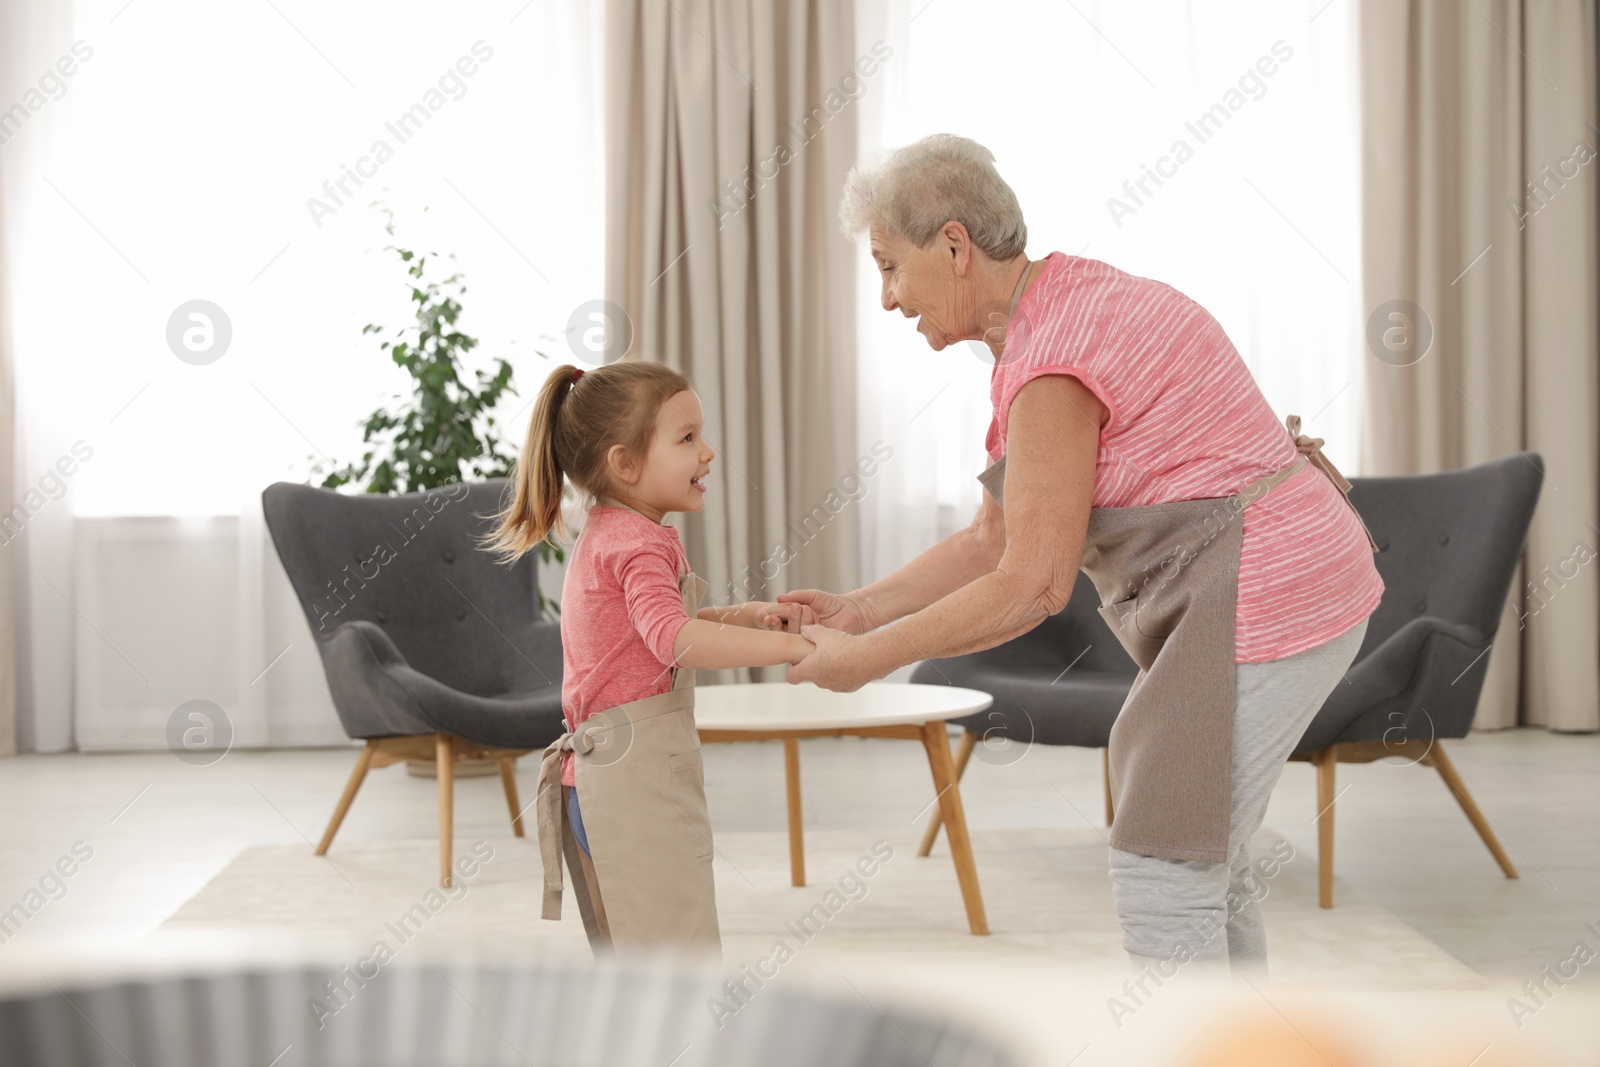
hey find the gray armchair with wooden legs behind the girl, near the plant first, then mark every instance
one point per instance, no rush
(433, 650)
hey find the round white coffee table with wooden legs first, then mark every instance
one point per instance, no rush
(879, 709)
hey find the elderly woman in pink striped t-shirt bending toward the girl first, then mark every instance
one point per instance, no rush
(1228, 561)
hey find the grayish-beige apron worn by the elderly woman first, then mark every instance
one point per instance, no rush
(1169, 583)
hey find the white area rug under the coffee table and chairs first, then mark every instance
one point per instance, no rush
(1046, 892)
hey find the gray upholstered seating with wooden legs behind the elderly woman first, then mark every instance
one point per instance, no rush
(1449, 546)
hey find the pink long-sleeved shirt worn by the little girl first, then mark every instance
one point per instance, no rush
(622, 613)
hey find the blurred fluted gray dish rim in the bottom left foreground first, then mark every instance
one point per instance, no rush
(470, 1015)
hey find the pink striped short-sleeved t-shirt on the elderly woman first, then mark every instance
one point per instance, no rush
(1188, 422)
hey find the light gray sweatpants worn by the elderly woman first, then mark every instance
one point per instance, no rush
(1175, 911)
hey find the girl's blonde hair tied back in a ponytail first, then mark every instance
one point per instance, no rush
(577, 420)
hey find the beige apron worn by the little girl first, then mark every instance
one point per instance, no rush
(642, 797)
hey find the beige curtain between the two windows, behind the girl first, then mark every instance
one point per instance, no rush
(730, 127)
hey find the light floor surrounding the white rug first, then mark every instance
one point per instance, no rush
(161, 829)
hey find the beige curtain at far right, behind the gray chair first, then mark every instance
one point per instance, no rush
(1479, 198)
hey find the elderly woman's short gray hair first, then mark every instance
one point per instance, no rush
(943, 178)
